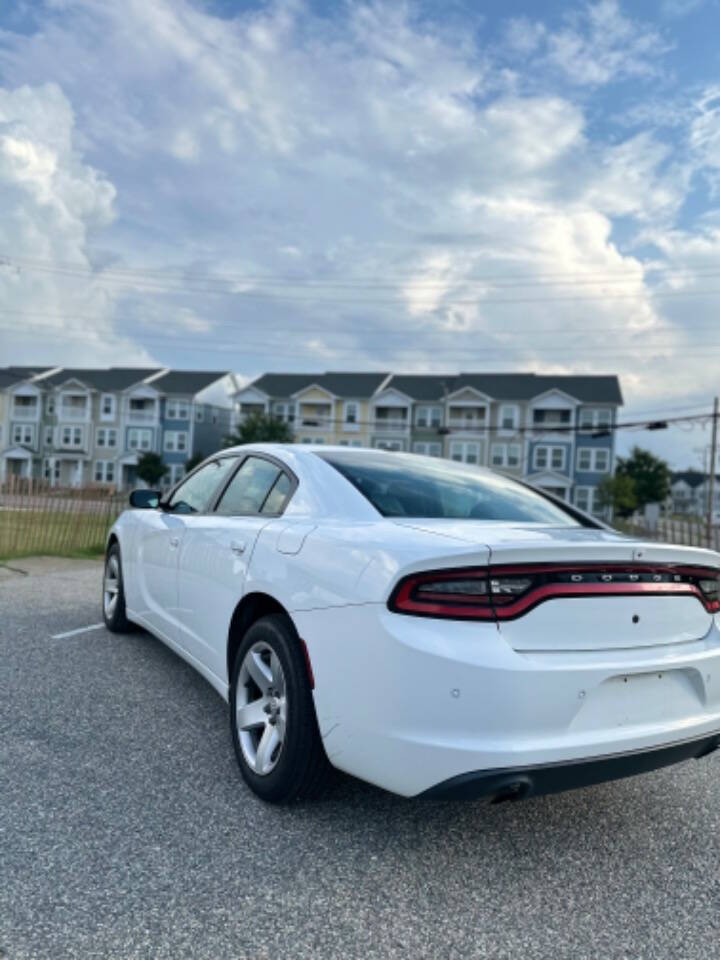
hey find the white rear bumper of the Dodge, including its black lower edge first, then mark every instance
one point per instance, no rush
(420, 706)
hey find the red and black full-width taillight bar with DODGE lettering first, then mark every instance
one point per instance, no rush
(508, 592)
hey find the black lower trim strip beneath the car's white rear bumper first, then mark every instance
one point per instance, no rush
(521, 782)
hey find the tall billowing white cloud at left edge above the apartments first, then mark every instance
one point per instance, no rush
(51, 201)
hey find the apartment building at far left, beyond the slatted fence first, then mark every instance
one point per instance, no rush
(76, 427)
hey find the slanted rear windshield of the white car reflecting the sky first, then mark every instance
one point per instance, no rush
(406, 485)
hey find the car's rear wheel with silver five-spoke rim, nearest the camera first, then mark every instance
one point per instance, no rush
(272, 715)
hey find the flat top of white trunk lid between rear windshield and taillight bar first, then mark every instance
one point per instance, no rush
(537, 543)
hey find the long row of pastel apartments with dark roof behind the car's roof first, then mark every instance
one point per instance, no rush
(555, 431)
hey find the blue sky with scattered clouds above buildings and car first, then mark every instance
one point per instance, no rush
(416, 186)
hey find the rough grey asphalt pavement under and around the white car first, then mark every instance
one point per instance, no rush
(127, 832)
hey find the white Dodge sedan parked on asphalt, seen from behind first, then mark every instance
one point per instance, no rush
(436, 629)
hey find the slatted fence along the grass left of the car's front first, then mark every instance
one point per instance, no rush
(36, 518)
